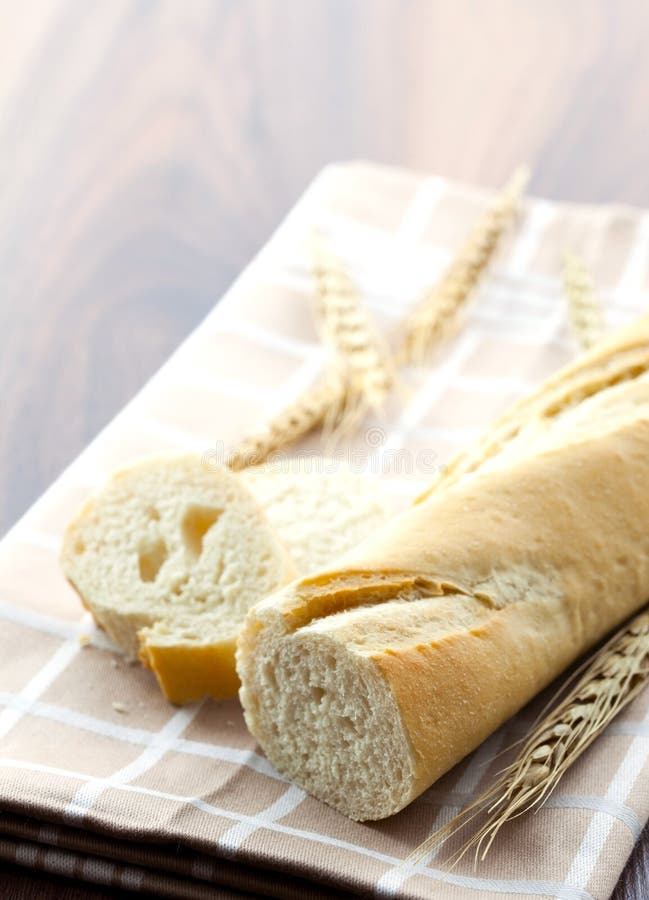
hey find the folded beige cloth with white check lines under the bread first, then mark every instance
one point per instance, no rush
(102, 780)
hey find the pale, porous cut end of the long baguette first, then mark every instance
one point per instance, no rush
(325, 717)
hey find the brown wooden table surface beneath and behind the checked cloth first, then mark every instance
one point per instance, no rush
(147, 149)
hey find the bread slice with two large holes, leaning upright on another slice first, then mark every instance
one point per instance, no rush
(170, 536)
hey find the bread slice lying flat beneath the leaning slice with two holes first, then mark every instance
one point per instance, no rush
(319, 510)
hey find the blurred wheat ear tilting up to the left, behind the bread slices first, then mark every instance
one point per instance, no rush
(347, 328)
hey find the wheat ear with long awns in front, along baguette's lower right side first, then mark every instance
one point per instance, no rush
(608, 682)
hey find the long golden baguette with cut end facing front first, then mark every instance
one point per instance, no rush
(368, 681)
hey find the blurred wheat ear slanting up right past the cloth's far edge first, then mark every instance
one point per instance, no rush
(435, 314)
